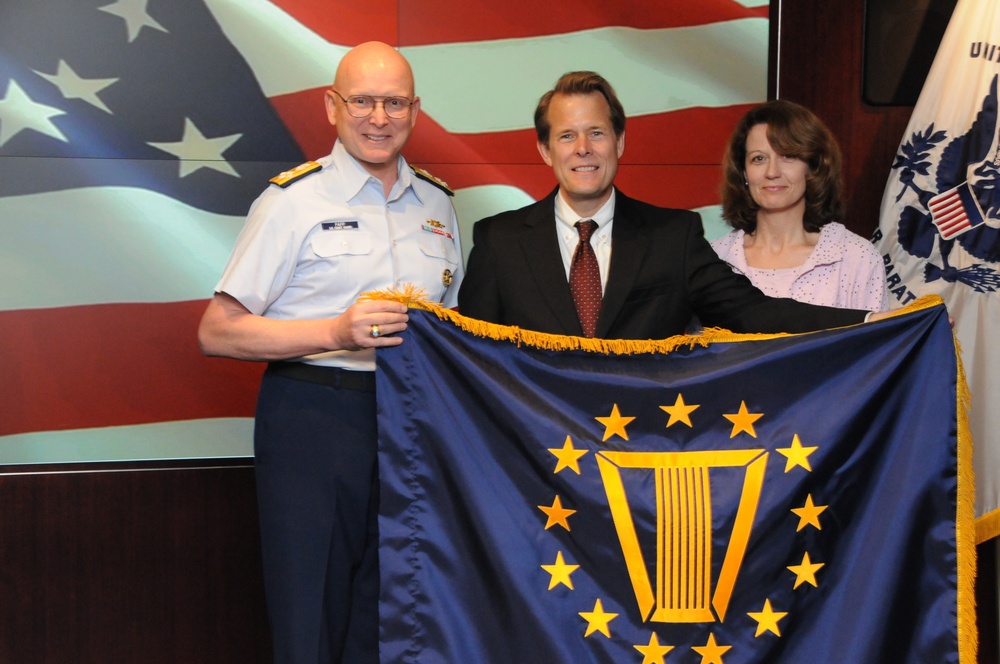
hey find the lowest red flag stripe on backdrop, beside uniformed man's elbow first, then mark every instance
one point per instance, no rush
(115, 364)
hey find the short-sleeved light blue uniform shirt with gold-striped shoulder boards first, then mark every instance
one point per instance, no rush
(309, 250)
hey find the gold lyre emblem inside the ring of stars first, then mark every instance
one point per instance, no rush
(682, 591)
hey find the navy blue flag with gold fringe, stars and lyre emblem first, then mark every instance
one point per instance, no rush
(741, 499)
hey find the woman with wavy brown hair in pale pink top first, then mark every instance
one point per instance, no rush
(781, 193)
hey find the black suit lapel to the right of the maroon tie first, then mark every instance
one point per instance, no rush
(629, 244)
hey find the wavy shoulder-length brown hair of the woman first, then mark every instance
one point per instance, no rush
(793, 131)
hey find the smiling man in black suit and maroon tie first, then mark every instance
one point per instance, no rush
(656, 268)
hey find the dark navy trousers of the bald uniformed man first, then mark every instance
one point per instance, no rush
(317, 487)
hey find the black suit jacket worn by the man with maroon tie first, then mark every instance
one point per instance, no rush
(662, 273)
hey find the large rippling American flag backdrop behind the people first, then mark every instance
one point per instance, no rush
(134, 134)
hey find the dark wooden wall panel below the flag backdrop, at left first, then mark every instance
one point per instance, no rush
(131, 563)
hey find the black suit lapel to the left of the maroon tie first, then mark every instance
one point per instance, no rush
(541, 249)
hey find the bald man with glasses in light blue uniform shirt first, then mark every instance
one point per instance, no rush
(360, 219)
